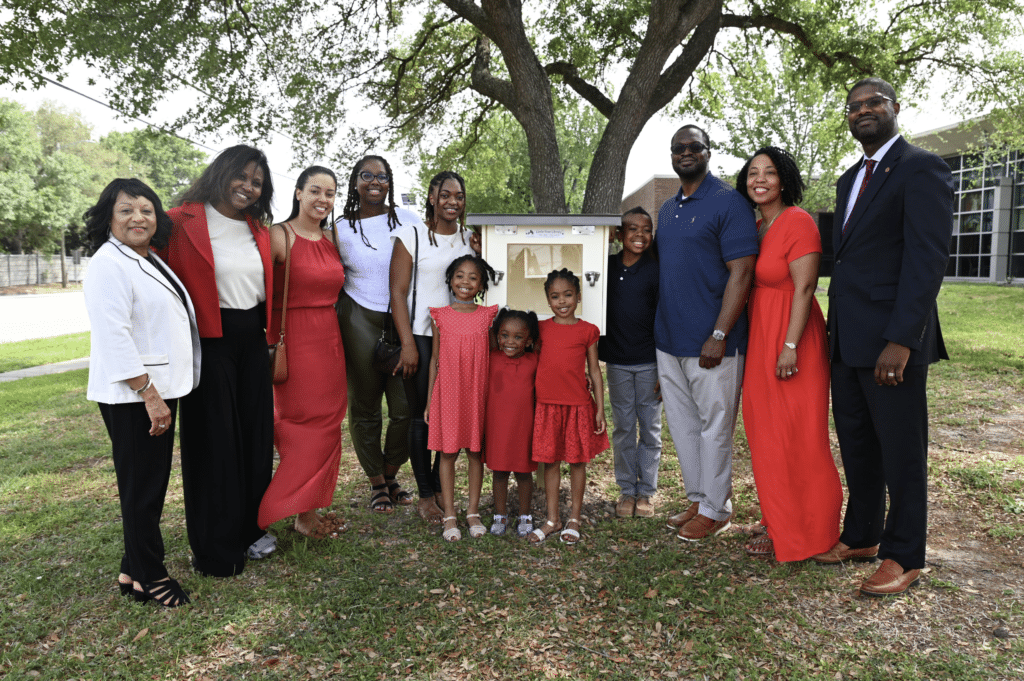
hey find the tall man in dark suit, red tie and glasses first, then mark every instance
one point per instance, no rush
(893, 225)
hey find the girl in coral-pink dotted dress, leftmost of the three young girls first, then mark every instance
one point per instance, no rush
(458, 387)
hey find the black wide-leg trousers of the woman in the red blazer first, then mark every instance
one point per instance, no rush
(228, 444)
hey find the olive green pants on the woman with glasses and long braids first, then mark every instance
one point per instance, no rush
(360, 330)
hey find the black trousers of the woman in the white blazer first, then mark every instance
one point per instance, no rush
(143, 463)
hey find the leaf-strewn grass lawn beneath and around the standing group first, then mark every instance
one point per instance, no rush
(391, 600)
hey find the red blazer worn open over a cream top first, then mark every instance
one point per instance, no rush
(190, 256)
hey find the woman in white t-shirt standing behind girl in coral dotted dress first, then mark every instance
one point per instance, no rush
(443, 239)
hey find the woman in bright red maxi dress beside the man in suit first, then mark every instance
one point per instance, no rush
(786, 381)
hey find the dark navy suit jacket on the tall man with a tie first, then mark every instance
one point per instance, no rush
(891, 260)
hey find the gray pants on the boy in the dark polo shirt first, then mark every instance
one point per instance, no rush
(635, 404)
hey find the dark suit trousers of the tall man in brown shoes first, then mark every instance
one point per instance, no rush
(883, 437)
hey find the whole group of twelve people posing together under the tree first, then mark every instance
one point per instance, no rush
(184, 305)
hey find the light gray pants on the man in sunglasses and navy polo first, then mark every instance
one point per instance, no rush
(701, 407)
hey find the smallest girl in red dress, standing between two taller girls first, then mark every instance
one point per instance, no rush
(509, 431)
